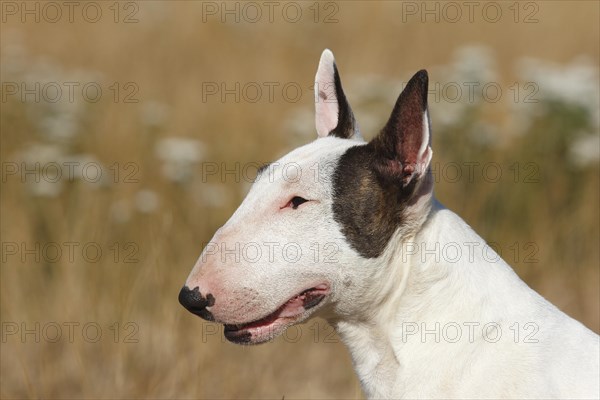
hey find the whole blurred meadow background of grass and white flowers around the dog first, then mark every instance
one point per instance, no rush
(127, 129)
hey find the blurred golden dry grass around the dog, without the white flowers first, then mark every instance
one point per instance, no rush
(168, 54)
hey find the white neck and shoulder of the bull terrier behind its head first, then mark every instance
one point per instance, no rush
(562, 364)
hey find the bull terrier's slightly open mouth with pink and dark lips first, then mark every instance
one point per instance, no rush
(291, 311)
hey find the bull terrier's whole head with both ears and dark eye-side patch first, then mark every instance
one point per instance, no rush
(314, 231)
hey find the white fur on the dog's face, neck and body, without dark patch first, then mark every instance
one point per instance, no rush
(375, 304)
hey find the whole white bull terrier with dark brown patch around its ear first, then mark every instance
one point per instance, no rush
(351, 231)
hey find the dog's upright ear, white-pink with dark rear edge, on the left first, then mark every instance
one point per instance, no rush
(333, 113)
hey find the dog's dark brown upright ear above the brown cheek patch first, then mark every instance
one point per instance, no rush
(404, 144)
